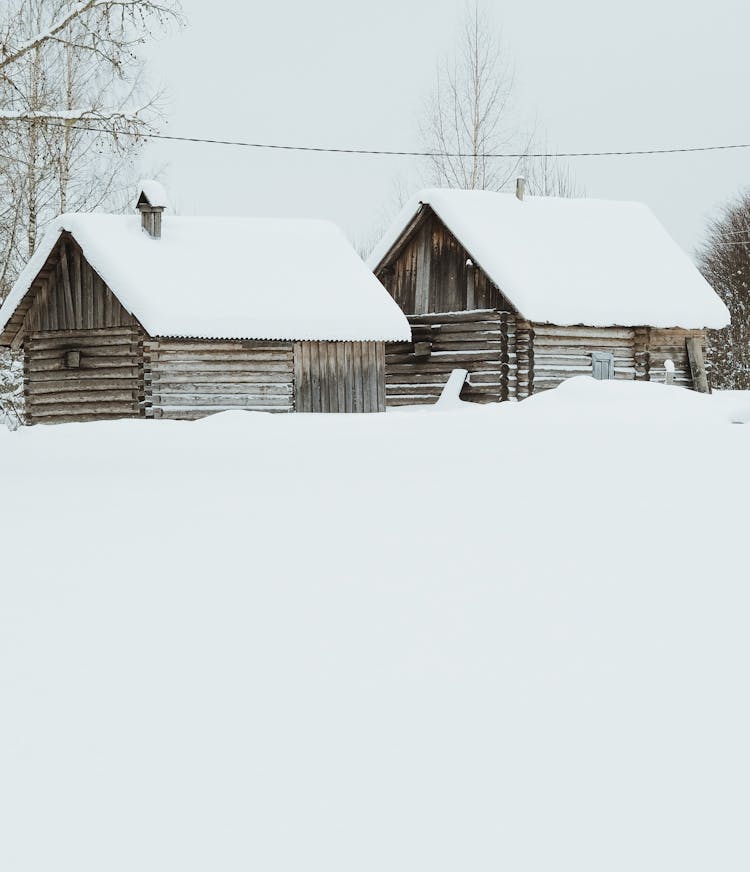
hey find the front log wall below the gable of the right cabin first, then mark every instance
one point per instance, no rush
(482, 342)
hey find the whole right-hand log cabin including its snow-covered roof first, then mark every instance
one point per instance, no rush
(526, 292)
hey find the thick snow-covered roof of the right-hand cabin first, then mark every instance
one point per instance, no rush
(566, 261)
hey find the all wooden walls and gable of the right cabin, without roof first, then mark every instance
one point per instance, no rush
(430, 274)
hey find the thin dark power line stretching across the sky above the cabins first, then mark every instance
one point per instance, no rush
(394, 153)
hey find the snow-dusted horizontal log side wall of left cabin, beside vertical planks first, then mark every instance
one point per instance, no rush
(192, 379)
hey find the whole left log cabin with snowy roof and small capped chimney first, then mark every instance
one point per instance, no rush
(177, 317)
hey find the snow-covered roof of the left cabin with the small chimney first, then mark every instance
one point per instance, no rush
(230, 278)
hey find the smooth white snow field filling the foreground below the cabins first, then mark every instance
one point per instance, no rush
(487, 638)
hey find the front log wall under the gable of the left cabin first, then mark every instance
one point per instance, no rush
(106, 384)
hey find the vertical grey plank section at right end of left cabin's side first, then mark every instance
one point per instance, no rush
(339, 376)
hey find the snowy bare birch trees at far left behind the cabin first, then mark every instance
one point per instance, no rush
(73, 110)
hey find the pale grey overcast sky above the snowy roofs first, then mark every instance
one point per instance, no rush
(593, 75)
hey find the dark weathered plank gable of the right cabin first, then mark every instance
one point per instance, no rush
(428, 270)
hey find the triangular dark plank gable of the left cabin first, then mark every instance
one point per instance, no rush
(67, 294)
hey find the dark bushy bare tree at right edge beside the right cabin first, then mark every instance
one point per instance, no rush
(724, 260)
